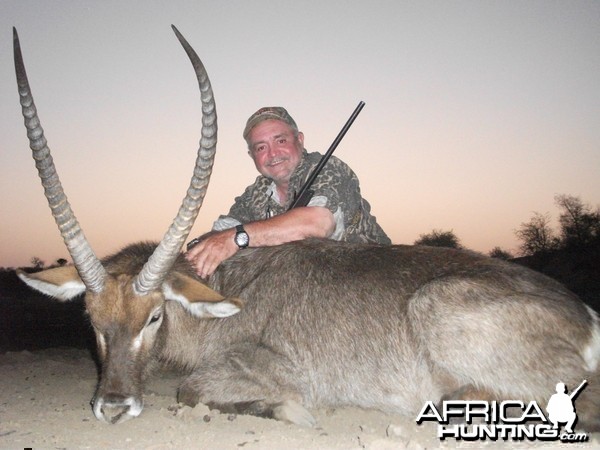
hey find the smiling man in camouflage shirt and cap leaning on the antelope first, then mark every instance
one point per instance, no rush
(260, 216)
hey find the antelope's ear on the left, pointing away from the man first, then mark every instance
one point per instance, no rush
(62, 283)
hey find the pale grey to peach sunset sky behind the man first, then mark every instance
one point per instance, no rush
(477, 112)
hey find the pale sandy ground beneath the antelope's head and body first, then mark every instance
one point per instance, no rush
(45, 403)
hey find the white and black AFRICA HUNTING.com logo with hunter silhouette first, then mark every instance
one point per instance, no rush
(472, 420)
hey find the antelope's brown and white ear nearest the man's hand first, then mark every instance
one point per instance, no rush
(199, 299)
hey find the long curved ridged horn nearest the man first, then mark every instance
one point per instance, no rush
(161, 261)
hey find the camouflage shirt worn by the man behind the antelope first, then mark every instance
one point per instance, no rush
(336, 188)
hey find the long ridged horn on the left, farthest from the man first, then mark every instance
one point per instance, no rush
(88, 265)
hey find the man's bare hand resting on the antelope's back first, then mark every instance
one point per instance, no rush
(212, 250)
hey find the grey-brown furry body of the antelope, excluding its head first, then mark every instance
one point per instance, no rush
(385, 327)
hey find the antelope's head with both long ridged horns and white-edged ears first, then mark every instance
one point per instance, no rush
(125, 301)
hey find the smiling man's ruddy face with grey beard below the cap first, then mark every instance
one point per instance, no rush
(275, 150)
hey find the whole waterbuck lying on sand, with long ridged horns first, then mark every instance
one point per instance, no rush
(279, 330)
